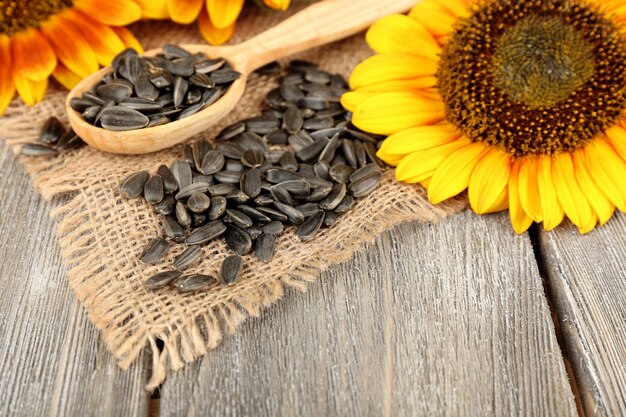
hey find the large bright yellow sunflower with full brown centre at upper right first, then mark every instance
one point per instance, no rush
(522, 103)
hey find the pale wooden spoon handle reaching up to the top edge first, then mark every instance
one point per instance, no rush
(318, 24)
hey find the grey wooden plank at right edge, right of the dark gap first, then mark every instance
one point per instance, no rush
(587, 281)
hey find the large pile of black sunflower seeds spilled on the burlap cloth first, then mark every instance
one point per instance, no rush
(300, 163)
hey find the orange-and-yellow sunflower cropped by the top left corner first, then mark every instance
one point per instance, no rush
(68, 39)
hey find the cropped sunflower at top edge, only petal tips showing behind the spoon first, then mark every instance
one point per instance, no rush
(216, 18)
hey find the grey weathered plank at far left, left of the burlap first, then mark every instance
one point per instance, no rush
(52, 361)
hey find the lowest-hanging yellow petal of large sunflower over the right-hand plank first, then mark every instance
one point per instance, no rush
(569, 194)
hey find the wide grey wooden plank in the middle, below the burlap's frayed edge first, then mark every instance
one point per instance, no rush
(446, 319)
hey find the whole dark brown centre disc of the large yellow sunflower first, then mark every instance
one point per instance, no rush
(534, 77)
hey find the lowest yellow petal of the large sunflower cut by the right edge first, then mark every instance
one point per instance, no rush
(607, 170)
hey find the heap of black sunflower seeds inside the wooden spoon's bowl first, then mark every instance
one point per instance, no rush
(152, 91)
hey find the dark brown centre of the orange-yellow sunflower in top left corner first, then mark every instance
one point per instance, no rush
(23, 14)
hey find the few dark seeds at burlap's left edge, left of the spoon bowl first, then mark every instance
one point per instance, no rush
(53, 139)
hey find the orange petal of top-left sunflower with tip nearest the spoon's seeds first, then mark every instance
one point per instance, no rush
(103, 40)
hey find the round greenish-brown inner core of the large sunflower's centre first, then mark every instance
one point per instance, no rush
(541, 61)
